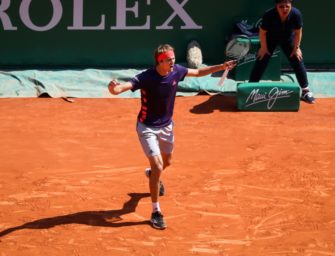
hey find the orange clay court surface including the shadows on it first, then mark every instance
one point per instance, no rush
(242, 183)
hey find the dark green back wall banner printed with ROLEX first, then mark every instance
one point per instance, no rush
(124, 33)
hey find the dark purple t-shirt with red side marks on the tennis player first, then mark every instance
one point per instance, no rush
(157, 95)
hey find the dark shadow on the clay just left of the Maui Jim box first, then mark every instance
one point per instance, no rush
(224, 103)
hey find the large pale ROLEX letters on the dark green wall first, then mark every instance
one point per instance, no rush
(123, 11)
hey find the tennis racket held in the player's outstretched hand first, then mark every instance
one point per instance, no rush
(236, 49)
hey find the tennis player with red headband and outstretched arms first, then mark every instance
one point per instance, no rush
(158, 87)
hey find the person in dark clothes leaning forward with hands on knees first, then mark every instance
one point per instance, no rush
(282, 26)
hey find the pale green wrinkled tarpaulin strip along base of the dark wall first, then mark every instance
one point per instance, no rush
(92, 83)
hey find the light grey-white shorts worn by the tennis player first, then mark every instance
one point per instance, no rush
(155, 141)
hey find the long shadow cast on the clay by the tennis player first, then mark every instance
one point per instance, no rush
(111, 218)
